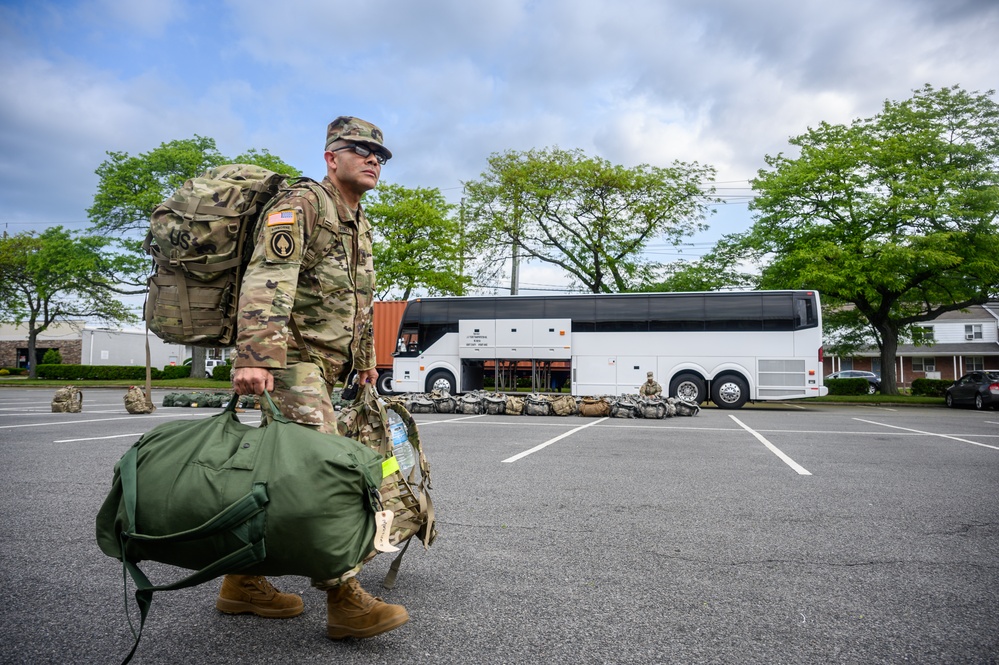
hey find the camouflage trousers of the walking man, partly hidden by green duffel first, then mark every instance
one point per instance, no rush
(302, 395)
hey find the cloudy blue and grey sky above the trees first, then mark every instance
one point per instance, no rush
(720, 82)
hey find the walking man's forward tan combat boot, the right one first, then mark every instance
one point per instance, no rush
(353, 612)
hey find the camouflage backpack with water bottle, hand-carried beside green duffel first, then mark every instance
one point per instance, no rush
(406, 495)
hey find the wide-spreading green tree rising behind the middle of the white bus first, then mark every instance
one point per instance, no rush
(589, 217)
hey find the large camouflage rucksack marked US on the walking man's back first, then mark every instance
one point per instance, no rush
(201, 240)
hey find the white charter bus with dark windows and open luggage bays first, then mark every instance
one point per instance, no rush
(729, 347)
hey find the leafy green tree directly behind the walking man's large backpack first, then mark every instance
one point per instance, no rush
(130, 188)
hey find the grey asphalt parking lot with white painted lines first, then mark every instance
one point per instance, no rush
(780, 533)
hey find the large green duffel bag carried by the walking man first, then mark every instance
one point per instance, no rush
(217, 496)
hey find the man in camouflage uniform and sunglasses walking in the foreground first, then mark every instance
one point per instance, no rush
(301, 331)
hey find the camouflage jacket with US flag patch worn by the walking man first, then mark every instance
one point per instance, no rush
(331, 303)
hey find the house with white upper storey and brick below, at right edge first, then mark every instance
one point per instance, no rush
(963, 341)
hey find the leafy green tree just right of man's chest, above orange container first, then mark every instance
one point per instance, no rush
(418, 242)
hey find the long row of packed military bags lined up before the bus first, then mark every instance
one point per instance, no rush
(538, 404)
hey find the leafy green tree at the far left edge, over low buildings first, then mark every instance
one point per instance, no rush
(60, 276)
